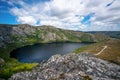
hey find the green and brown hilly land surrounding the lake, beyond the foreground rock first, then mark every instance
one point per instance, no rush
(13, 37)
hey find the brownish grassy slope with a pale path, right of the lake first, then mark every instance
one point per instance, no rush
(111, 53)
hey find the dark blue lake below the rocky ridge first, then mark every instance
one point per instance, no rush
(40, 52)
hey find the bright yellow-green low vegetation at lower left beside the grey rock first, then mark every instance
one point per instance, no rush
(13, 66)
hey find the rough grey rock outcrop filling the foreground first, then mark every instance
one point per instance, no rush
(82, 66)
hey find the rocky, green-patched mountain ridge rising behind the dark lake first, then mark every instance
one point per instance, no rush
(14, 36)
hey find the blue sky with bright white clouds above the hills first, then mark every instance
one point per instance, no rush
(80, 15)
